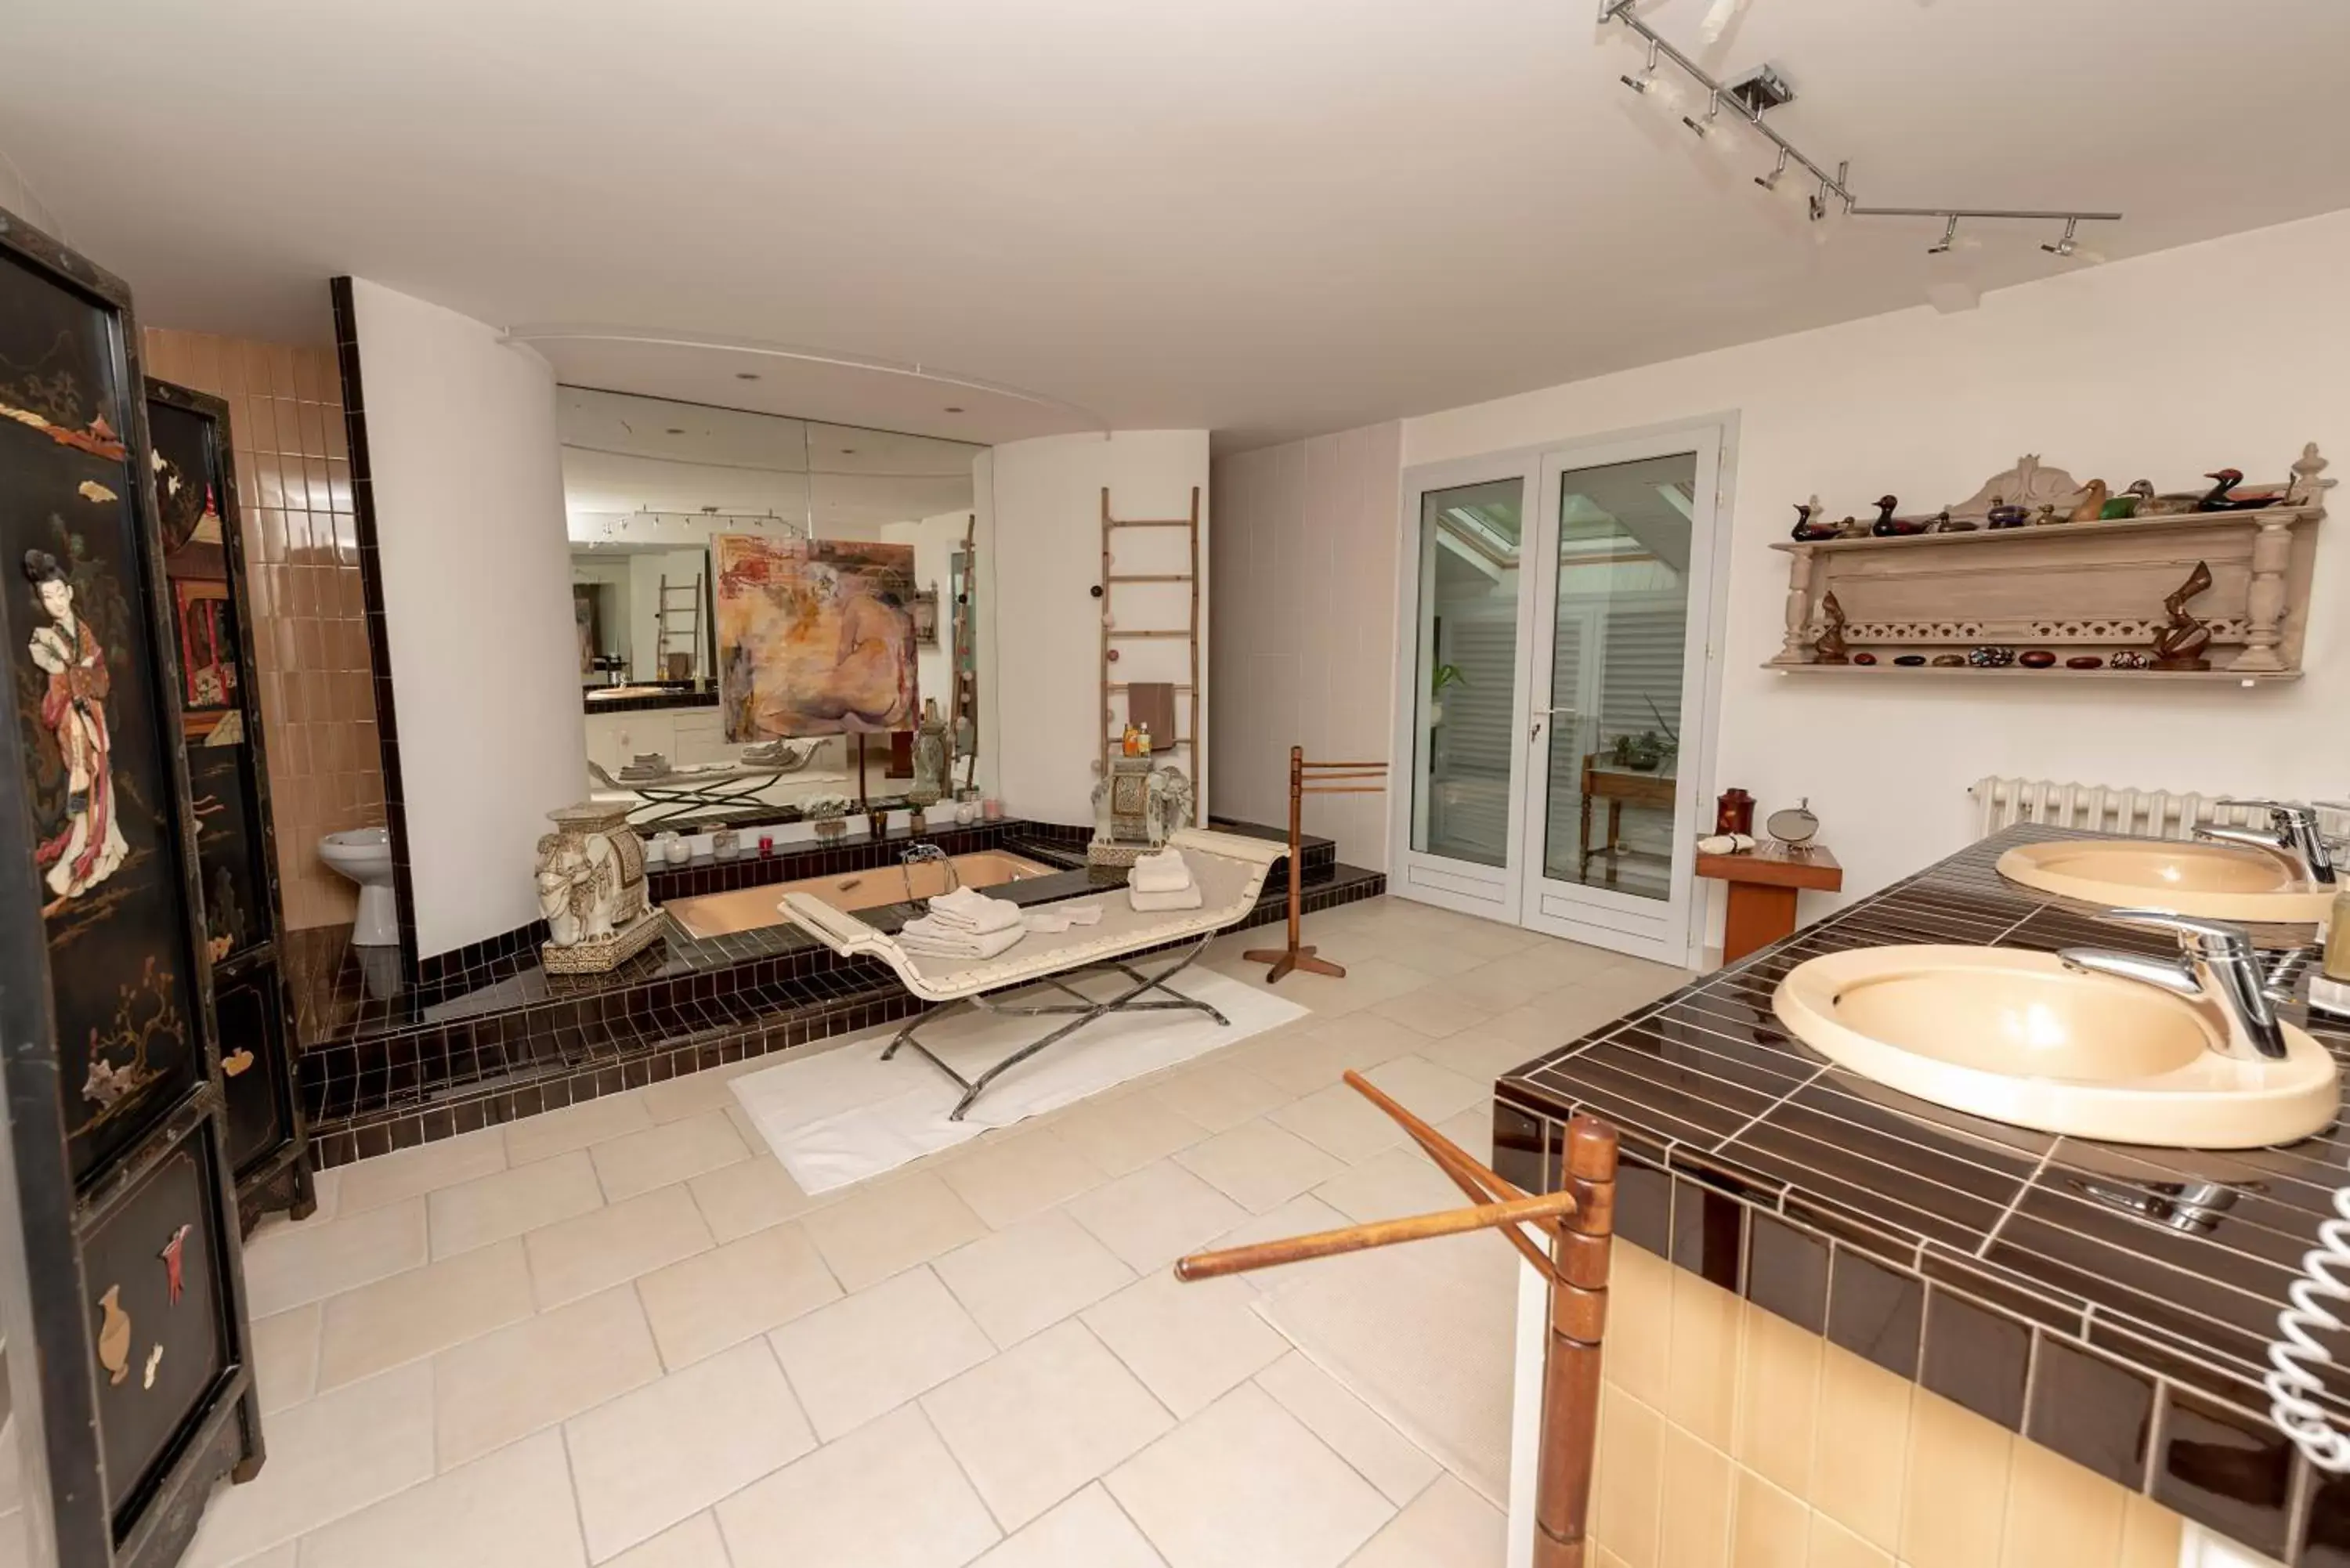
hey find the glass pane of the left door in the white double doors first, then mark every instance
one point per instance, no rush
(1465, 728)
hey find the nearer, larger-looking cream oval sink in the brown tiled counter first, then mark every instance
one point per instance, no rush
(2017, 1038)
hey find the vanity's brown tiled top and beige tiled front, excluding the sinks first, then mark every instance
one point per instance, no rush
(1952, 1341)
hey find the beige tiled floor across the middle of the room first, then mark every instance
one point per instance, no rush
(624, 1336)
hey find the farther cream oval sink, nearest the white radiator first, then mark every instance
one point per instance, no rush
(2184, 878)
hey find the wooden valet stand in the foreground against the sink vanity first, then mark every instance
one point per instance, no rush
(1578, 1224)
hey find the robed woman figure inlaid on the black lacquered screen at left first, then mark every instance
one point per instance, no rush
(88, 845)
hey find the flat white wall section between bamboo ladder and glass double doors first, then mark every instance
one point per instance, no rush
(1305, 587)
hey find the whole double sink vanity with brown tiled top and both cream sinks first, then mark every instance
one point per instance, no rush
(2043, 1130)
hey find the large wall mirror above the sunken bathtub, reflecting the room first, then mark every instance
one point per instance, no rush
(767, 608)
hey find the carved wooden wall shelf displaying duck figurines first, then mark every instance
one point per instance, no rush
(2069, 589)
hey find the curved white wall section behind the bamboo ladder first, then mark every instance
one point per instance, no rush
(1042, 530)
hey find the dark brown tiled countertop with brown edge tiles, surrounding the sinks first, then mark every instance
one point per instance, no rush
(2102, 1299)
